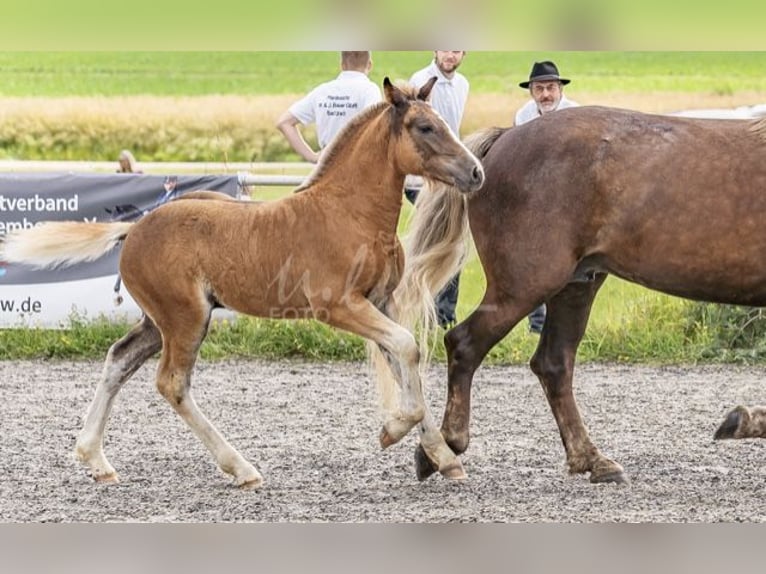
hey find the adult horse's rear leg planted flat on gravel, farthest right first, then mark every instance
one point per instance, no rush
(553, 363)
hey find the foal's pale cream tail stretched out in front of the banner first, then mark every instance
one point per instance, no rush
(62, 243)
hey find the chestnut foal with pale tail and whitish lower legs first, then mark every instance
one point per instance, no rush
(330, 252)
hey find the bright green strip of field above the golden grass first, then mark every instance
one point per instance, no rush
(57, 74)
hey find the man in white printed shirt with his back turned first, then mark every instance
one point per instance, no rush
(331, 105)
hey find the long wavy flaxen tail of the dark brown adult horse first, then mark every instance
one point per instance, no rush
(436, 249)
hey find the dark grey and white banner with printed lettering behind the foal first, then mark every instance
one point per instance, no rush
(51, 297)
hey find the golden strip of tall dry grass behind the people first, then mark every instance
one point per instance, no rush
(239, 127)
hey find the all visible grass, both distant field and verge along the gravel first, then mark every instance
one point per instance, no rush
(220, 106)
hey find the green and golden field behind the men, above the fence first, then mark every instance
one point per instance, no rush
(221, 106)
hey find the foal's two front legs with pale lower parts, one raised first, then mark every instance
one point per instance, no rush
(360, 316)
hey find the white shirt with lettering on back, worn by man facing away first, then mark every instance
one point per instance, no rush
(332, 104)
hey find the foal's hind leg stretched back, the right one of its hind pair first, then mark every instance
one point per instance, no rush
(183, 330)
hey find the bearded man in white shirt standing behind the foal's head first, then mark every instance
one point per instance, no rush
(448, 97)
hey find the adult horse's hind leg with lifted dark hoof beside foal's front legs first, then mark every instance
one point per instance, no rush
(467, 345)
